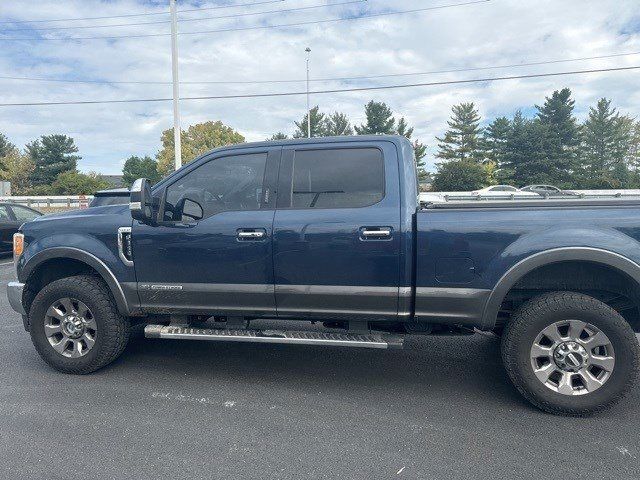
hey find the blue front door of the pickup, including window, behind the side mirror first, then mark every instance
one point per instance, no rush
(222, 263)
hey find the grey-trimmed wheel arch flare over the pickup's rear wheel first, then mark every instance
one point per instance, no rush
(606, 258)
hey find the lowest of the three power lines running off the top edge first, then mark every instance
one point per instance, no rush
(260, 27)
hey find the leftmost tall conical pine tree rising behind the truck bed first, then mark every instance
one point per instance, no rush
(463, 140)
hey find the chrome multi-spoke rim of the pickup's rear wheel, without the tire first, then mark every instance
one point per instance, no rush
(572, 357)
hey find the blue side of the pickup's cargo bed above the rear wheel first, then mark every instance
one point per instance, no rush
(465, 249)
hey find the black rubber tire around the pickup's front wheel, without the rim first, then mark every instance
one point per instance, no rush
(112, 332)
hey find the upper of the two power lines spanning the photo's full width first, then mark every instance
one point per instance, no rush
(326, 79)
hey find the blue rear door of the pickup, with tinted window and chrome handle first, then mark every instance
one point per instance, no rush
(336, 231)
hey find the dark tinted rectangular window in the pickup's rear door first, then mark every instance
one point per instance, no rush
(337, 178)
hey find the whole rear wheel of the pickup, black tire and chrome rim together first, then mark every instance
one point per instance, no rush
(568, 353)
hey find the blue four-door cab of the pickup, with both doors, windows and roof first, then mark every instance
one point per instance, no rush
(302, 231)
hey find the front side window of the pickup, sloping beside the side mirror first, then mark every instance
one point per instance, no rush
(220, 185)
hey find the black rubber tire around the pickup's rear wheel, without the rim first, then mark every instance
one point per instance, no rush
(540, 312)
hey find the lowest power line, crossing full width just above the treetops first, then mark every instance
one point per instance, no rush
(320, 92)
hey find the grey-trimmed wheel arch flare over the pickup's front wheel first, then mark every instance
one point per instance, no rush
(77, 256)
